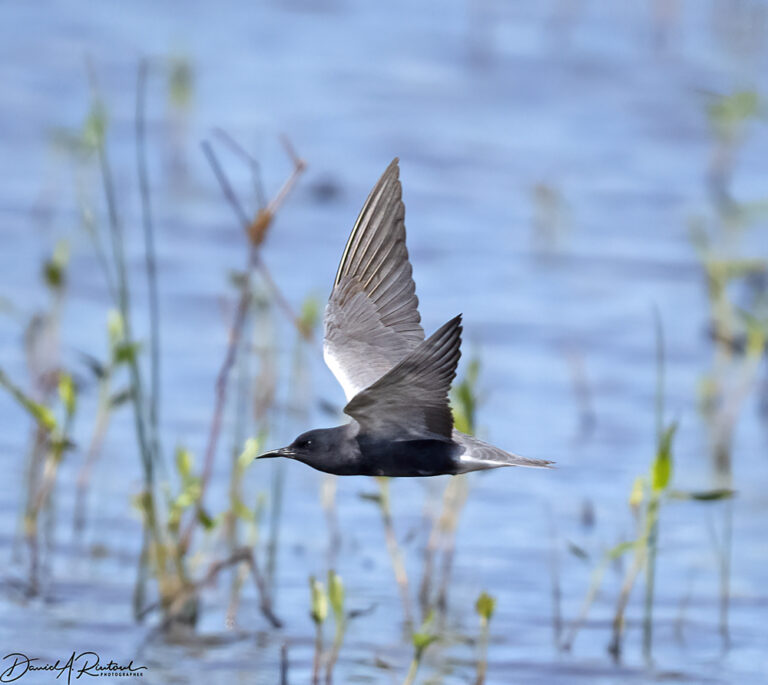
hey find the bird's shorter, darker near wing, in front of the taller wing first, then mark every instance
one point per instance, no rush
(411, 400)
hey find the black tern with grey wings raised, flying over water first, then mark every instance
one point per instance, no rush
(395, 381)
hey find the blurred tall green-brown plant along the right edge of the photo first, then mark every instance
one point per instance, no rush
(738, 332)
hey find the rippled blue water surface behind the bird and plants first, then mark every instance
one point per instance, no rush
(483, 102)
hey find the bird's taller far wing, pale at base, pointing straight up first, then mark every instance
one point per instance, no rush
(372, 319)
